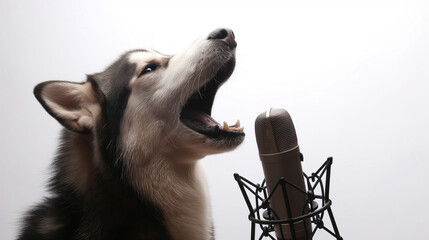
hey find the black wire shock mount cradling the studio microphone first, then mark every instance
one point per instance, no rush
(266, 218)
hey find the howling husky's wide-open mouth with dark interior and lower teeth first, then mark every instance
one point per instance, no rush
(196, 114)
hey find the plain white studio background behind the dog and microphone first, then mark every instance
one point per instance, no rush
(353, 75)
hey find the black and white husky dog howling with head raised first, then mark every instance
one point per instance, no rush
(127, 166)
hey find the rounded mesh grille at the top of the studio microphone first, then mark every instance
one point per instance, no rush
(275, 131)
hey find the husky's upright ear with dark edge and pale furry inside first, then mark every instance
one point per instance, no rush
(75, 105)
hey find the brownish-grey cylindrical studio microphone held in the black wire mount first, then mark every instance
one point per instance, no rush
(280, 156)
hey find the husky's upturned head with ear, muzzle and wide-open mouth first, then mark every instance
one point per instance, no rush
(148, 103)
